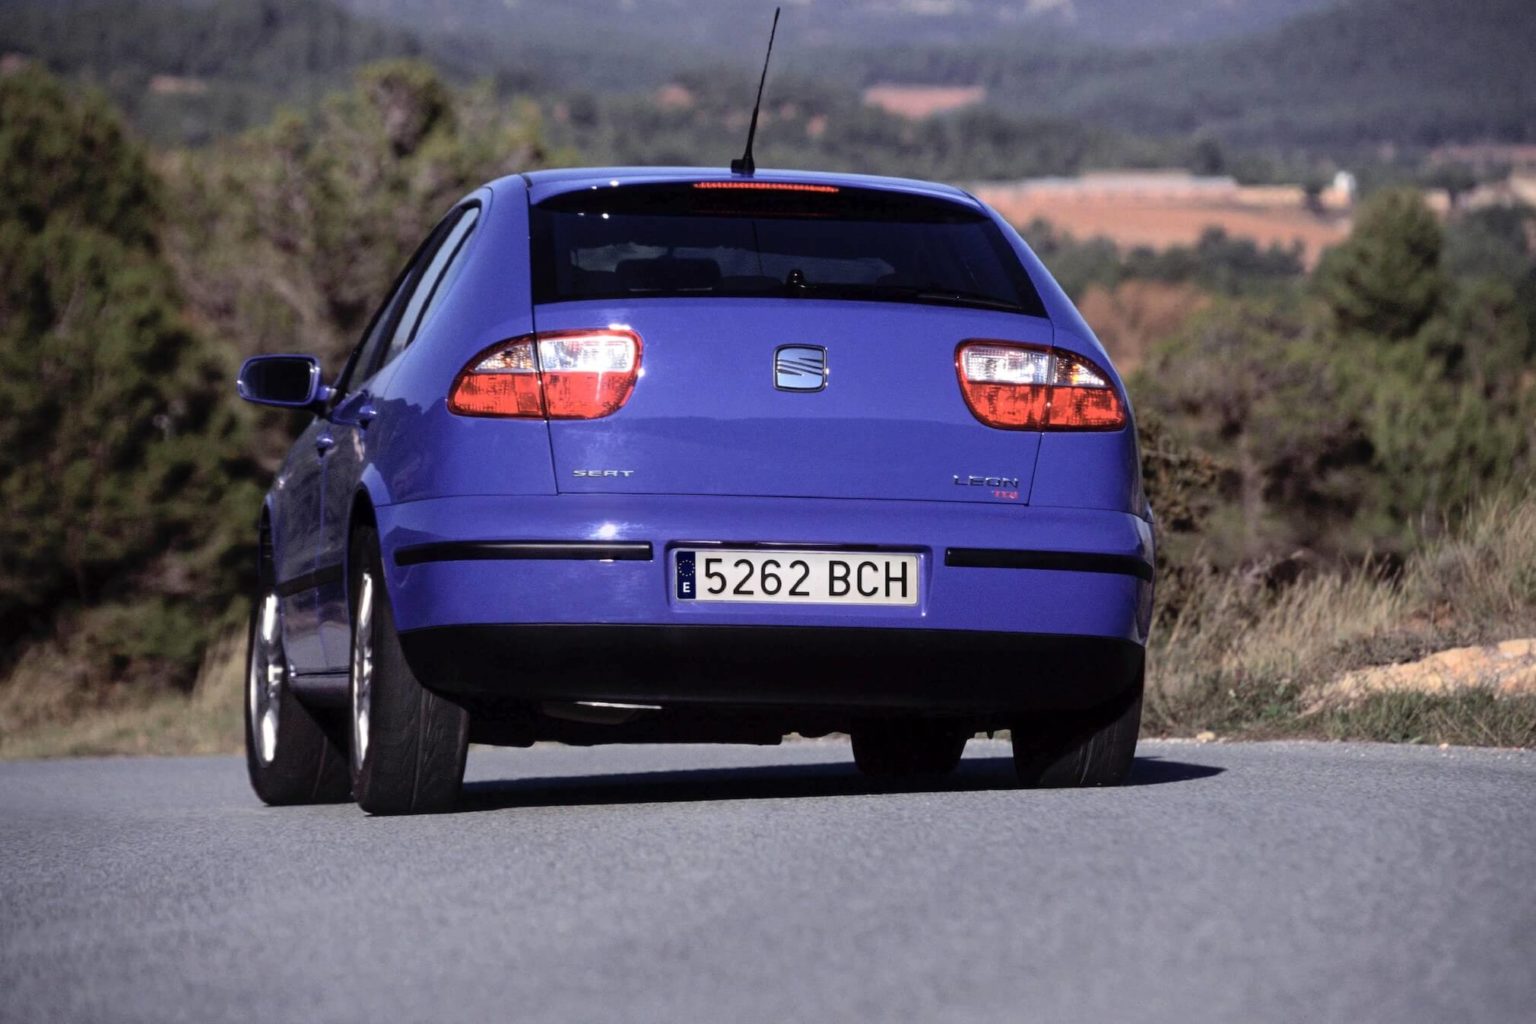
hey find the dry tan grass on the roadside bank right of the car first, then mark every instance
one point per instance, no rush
(1240, 656)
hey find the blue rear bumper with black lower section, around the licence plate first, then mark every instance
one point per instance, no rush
(572, 598)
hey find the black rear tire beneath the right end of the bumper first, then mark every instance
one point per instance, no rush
(1093, 748)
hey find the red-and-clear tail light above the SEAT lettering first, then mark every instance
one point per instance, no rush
(551, 375)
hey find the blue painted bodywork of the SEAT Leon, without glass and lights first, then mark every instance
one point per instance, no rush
(707, 451)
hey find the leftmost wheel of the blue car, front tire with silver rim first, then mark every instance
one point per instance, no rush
(290, 755)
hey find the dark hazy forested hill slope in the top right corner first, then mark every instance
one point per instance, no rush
(1417, 73)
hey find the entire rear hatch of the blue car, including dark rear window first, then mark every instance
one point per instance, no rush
(793, 345)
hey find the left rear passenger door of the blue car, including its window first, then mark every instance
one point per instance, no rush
(425, 280)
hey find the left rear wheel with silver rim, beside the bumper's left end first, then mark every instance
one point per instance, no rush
(408, 744)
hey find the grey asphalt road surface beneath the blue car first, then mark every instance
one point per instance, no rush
(1228, 884)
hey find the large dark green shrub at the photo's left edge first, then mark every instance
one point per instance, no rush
(121, 461)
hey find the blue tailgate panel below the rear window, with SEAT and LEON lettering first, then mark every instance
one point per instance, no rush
(707, 415)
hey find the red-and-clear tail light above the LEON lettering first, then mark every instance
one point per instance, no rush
(1024, 388)
